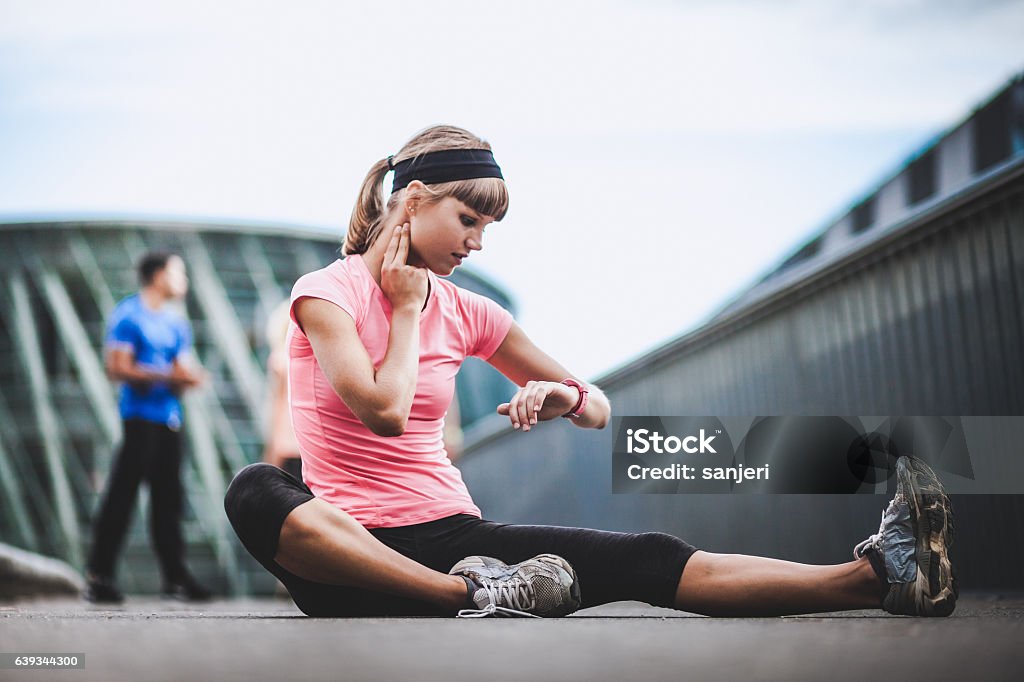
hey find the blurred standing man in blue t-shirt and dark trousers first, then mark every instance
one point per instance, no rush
(147, 349)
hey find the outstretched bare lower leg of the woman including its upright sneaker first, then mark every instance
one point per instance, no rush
(911, 550)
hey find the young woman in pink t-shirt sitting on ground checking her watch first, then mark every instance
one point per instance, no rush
(383, 525)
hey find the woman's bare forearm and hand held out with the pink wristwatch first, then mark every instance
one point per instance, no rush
(542, 396)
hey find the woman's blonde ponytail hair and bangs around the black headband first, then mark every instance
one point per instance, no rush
(487, 196)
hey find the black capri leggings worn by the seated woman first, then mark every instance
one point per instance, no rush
(611, 567)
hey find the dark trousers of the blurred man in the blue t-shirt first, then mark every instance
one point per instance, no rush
(152, 453)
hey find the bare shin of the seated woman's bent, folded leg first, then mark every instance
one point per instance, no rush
(322, 543)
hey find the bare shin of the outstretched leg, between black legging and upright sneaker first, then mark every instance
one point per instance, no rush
(740, 585)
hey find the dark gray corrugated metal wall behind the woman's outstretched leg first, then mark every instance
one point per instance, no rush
(924, 320)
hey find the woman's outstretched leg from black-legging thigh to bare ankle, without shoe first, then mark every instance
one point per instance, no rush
(664, 571)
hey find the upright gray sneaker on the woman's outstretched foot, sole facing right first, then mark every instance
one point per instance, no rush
(912, 548)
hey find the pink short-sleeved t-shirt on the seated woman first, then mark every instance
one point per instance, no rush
(387, 483)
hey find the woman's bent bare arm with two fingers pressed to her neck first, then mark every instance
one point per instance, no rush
(381, 398)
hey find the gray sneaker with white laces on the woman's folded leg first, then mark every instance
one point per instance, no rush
(543, 587)
